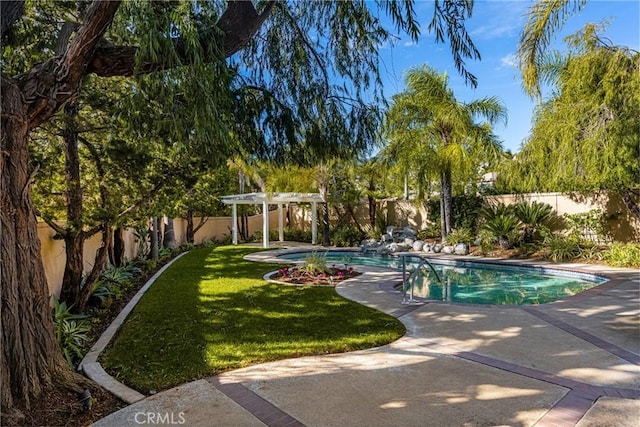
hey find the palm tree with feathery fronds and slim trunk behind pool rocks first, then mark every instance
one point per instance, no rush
(436, 136)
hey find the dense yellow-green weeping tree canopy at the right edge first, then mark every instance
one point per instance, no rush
(585, 136)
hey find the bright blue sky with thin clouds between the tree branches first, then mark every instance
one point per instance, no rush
(495, 30)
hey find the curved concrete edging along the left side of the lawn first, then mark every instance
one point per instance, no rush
(90, 365)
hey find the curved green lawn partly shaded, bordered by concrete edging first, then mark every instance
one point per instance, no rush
(211, 312)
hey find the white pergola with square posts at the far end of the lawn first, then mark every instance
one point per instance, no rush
(267, 199)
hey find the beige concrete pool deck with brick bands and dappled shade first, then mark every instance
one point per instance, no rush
(570, 363)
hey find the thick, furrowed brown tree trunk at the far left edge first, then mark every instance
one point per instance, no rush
(30, 358)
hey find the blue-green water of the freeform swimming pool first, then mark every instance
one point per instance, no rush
(473, 282)
